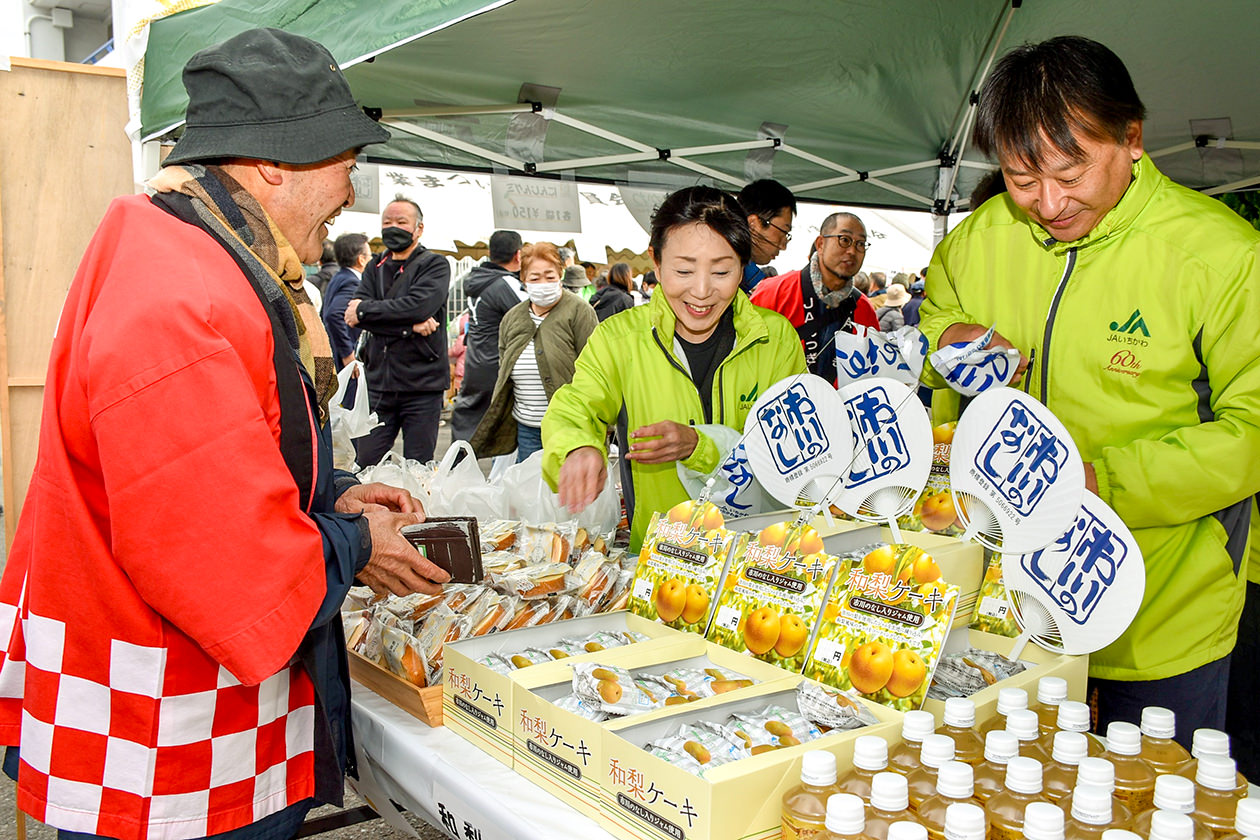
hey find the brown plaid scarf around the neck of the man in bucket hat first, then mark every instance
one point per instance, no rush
(240, 221)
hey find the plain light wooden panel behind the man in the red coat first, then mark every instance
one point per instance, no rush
(64, 157)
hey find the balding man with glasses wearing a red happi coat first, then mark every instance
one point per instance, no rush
(821, 298)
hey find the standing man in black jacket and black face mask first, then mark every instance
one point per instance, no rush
(403, 305)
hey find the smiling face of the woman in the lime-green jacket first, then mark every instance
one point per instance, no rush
(700, 275)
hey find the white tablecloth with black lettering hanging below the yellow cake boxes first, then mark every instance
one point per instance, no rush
(449, 783)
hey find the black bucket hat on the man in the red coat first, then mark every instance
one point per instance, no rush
(270, 95)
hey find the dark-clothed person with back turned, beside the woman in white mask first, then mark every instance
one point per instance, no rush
(492, 288)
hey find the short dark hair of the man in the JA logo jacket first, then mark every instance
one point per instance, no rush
(1039, 96)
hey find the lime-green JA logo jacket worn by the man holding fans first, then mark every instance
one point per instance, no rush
(1143, 343)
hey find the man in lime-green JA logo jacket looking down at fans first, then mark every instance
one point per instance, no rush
(1135, 304)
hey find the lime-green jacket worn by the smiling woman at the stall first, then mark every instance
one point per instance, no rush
(633, 375)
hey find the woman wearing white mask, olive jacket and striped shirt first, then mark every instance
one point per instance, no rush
(540, 341)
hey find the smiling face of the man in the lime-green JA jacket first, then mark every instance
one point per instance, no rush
(1070, 197)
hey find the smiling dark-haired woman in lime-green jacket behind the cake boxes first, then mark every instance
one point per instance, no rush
(666, 375)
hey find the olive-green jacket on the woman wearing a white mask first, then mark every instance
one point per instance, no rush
(558, 343)
